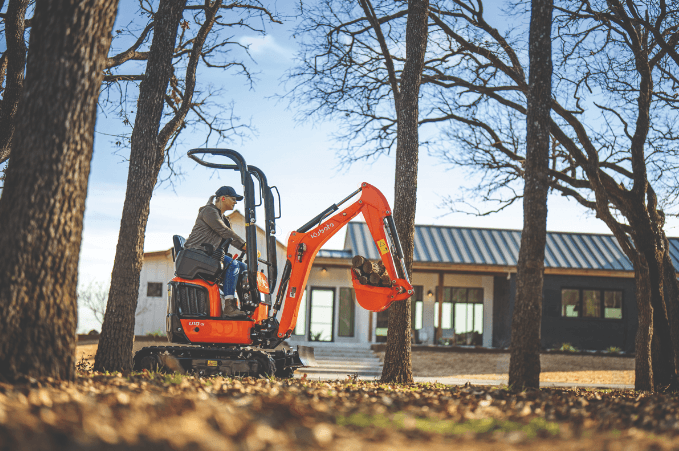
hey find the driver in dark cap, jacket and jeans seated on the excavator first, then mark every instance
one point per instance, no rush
(211, 228)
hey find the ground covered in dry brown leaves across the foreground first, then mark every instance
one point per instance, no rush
(155, 411)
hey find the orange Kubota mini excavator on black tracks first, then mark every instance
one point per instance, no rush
(244, 345)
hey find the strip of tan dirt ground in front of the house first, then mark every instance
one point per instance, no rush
(471, 366)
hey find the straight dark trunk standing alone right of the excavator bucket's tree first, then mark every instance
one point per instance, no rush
(524, 363)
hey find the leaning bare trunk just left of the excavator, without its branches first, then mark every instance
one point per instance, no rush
(146, 156)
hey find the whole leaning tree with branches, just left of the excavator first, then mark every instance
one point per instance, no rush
(150, 143)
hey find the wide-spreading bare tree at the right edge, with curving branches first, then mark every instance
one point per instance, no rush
(612, 133)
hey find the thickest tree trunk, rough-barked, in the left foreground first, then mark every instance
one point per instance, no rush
(43, 201)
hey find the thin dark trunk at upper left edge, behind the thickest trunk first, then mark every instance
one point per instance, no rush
(16, 60)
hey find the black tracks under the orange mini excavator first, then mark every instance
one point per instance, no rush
(209, 361)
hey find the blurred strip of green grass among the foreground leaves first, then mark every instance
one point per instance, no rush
(448, 427)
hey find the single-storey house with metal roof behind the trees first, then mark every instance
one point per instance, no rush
(464, 280)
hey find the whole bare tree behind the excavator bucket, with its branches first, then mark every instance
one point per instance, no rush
(344, 48)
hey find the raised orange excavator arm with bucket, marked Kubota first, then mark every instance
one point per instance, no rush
(305, 243)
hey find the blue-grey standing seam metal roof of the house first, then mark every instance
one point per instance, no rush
(474, 246)
